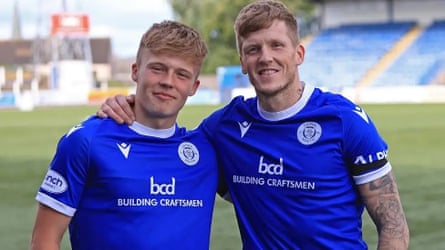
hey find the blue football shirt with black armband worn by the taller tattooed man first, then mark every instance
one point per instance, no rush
(292, 175)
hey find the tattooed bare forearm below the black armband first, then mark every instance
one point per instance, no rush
(383, 203)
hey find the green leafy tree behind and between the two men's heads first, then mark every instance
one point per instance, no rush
(214, 19)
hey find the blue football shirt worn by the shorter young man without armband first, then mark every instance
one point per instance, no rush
(132, 187)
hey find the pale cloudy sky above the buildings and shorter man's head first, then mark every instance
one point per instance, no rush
(124, 21)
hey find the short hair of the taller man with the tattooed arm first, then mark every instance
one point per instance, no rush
(260, 15)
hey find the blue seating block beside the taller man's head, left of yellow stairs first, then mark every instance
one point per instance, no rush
(340, 56)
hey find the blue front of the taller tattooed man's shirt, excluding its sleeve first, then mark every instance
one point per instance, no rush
(298, 184)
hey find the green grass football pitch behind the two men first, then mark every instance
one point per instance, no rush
(415, 134)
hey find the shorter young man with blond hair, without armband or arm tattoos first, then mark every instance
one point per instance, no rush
(149, 185)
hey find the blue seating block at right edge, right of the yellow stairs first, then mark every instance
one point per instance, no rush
(421, 62)
